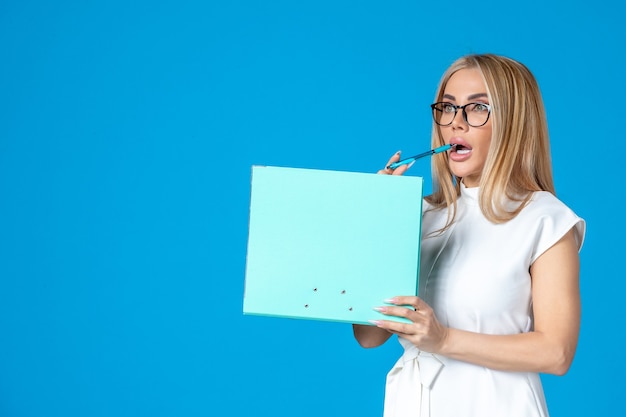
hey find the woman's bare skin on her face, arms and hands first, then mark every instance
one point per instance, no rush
(550, 347)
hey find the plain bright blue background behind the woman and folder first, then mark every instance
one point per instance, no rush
(127, 133)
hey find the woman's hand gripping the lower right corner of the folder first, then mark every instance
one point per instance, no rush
(424, 331)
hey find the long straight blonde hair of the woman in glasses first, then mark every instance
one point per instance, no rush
(518, 162)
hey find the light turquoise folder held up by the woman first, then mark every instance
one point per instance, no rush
(330, 245)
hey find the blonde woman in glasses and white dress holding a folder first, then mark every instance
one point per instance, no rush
(498, 297)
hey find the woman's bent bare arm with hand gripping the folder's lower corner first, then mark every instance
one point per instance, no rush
(549, 348)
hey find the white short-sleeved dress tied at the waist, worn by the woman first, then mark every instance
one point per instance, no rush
(476, 277)
